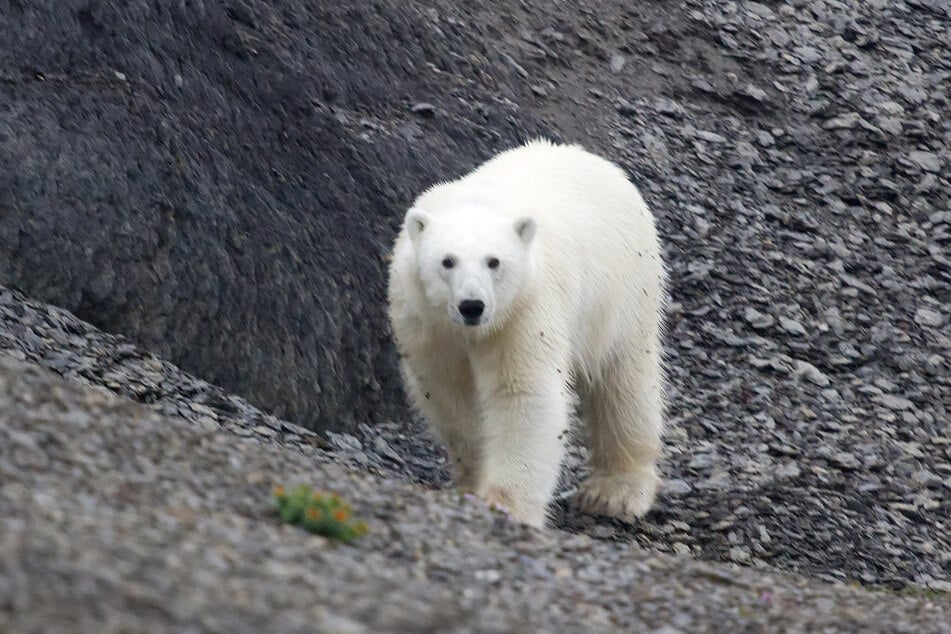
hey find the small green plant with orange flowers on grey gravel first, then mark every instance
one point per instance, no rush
(322, 513)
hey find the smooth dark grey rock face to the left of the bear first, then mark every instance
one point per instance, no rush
(222, 181)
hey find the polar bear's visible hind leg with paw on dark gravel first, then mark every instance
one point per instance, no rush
(623, 409)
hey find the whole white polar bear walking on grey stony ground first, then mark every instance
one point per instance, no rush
(533, 280)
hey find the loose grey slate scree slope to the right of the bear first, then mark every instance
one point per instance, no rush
(796, 154)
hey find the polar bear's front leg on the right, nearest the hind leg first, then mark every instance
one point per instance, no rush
(525, 414)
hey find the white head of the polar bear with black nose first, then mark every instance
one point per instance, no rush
(472, 263)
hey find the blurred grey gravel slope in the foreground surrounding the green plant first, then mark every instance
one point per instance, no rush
(116, 518)
